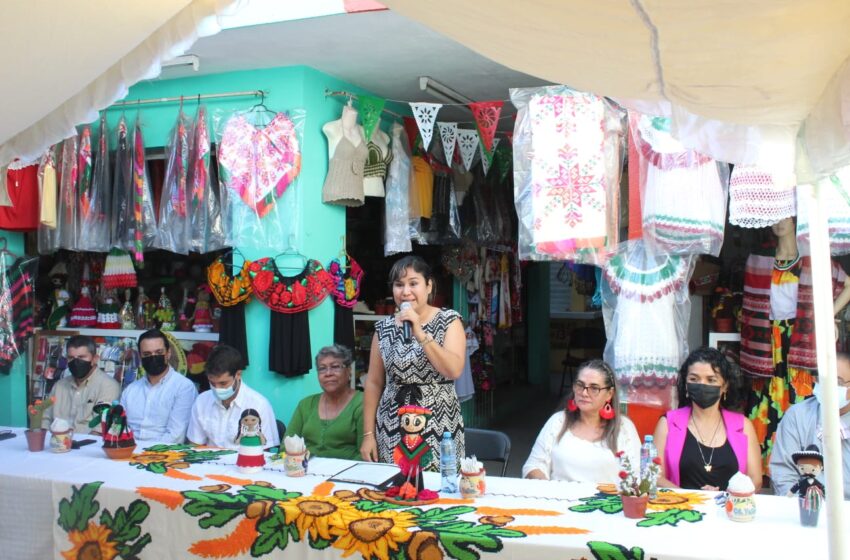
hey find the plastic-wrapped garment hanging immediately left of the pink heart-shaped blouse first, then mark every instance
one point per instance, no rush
(206, 226)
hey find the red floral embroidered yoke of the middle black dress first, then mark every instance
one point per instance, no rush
(290, 294)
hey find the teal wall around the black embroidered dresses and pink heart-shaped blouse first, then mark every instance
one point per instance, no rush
(316, 228)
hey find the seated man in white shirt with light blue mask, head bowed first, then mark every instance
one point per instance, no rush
(216, 414)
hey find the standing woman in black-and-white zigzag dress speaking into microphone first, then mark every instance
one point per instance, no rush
(419, 368)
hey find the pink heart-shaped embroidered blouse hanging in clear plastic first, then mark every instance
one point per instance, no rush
(259, 164)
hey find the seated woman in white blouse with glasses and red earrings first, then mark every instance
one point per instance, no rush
(580, 443)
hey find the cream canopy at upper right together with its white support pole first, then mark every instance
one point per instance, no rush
(766, 81)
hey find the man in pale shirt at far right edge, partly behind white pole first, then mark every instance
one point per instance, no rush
(802, 426)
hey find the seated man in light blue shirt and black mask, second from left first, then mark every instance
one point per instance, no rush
(159, 404)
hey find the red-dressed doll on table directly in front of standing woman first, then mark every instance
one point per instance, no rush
(412, 454)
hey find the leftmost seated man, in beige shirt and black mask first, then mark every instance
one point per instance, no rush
(87, 386)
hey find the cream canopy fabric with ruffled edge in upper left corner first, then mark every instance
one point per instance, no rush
(64, 61)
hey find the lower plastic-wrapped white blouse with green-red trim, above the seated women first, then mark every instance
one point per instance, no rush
(646, 307)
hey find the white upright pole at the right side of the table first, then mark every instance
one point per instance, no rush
(827, 376)
